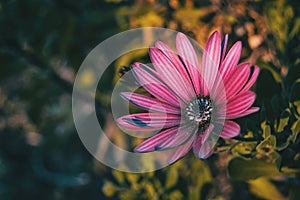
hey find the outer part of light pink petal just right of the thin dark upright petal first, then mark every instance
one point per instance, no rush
(231, 60)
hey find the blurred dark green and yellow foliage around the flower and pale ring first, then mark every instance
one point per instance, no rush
(42, 44)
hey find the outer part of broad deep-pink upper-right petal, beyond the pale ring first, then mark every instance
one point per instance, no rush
(237, 80)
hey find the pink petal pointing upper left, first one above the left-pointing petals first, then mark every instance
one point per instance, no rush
(150, 80)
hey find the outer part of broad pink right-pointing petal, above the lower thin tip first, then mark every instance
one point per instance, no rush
(237, 106)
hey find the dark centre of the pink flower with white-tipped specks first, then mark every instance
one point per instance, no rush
(199, 110)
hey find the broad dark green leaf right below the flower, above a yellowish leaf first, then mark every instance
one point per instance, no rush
(242, 169)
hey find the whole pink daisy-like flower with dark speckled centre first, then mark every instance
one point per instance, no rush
(191, 105)
